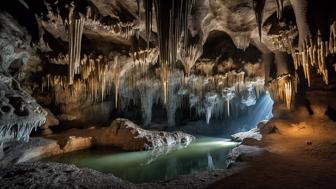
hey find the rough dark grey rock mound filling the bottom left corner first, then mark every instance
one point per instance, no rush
(55, 175)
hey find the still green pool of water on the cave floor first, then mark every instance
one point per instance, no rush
(165, 163)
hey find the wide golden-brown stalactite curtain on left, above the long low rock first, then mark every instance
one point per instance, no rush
(97, 75)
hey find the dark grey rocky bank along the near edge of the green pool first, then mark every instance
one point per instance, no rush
(56, 175)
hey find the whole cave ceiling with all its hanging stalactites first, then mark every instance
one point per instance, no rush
(144, 52)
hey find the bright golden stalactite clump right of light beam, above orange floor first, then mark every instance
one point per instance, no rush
(283, 89)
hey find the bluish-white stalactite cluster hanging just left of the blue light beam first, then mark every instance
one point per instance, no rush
(216, 101)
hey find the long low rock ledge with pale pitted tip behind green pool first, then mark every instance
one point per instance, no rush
(122, 133)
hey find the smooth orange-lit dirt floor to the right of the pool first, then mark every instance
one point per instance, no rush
(300, 155)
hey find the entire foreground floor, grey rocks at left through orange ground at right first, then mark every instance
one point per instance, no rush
(298, 155)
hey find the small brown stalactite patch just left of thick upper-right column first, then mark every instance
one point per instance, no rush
(284, 40)
